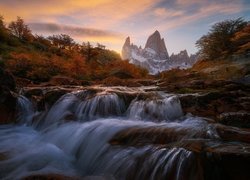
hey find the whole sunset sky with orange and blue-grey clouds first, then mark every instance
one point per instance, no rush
(180, 22)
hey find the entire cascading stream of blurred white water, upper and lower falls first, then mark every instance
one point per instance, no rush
(98, 133)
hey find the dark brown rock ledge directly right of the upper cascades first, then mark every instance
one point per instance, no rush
(213, 104)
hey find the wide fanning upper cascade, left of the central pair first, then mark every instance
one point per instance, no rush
(83, 106)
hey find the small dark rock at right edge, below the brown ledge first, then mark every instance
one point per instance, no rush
(237, 119)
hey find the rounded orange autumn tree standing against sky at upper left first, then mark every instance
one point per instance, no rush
(19, 29)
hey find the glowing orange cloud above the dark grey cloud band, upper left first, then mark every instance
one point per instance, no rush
(102, 13)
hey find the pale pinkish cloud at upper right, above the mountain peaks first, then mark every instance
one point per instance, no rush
(203, 10)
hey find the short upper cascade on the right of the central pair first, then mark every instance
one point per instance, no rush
(168, 108)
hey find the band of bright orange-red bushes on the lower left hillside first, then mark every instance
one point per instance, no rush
(41, 67)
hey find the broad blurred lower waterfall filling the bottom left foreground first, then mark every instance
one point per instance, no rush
(83, 149)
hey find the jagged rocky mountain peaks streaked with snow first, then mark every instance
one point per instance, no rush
(154, 56)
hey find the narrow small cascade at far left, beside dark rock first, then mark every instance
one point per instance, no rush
(25, 110)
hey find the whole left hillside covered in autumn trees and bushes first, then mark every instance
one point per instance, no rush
(35, 59)
